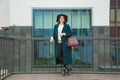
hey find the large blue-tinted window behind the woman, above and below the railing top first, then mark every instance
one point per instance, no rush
(80, 23)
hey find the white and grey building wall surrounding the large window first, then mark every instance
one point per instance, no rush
(20, 12)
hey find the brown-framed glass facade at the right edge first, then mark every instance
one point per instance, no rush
(115, 29)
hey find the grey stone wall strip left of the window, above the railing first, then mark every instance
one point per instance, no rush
(17, 31)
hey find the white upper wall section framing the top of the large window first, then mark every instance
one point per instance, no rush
(21, 10)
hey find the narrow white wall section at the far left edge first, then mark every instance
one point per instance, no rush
(4, 13)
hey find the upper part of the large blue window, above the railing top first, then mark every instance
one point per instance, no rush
(44, 21)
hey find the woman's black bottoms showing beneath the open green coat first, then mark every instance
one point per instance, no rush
(59, 54)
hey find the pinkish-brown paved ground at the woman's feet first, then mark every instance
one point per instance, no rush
(59, 77)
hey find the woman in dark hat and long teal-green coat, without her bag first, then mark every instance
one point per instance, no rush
(60, 35)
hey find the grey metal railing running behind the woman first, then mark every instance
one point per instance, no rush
(16, 56)
